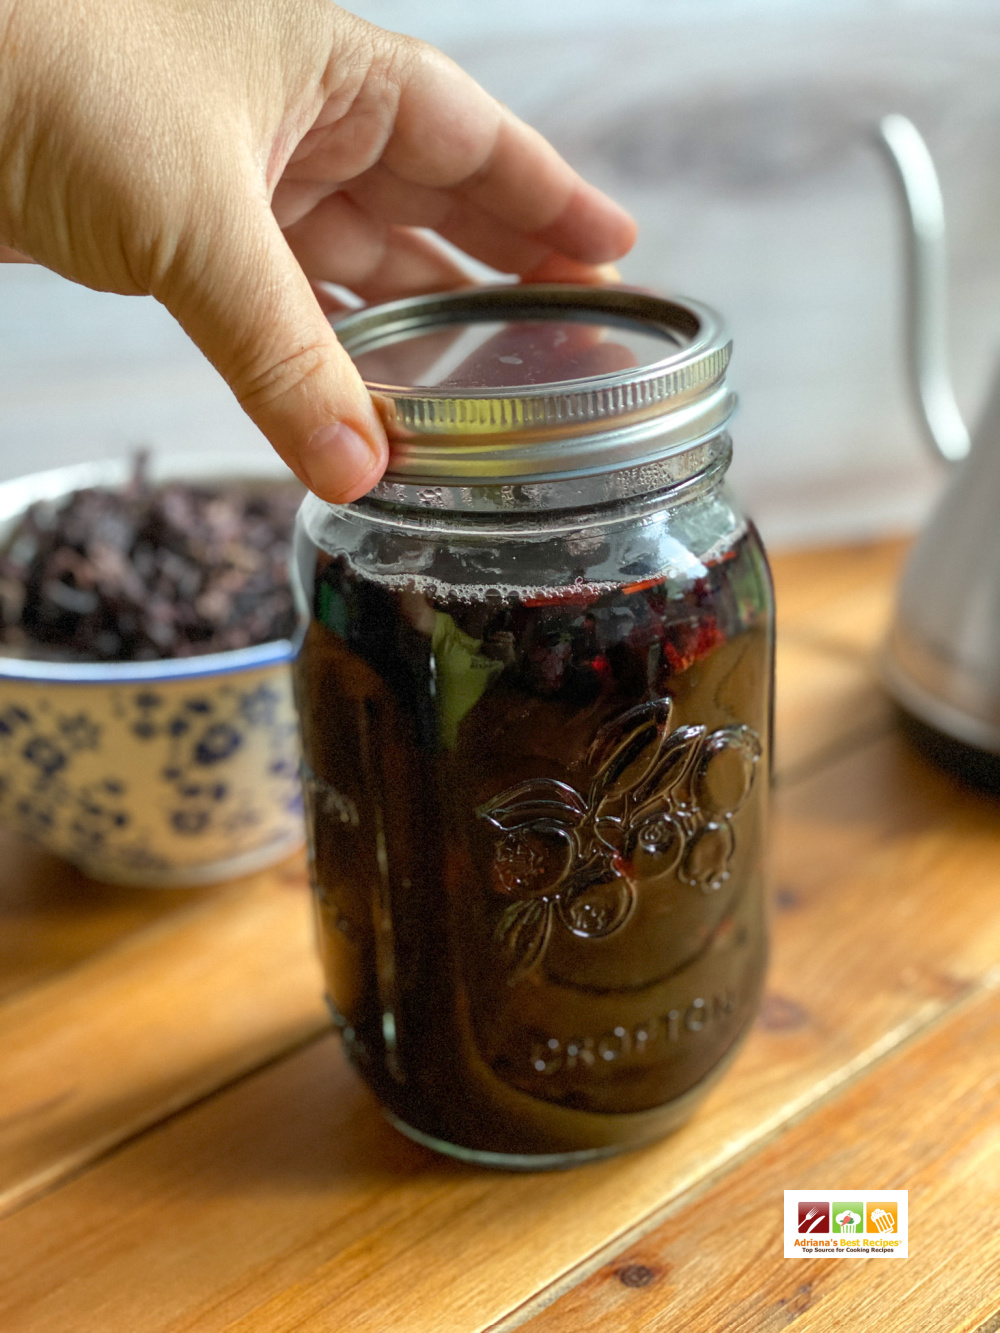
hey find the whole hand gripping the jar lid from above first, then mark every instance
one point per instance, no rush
(223, 154)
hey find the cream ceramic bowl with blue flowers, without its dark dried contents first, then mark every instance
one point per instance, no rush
(161, 774)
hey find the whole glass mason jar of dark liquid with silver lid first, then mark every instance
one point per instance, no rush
(535, 696)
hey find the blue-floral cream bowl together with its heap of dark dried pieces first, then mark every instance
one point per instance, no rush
(147, 626)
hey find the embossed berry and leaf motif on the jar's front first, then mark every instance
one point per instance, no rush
(659, 804)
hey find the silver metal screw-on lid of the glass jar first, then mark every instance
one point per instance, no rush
(531, 385)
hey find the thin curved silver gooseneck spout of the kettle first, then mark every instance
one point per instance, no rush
(927, 289)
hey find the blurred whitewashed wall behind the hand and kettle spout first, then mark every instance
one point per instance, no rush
(739, 134)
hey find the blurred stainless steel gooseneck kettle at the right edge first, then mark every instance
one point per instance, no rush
(942, 662)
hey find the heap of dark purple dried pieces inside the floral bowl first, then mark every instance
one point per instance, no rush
(149, 573)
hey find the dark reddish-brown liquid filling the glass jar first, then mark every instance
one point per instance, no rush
(537, 827)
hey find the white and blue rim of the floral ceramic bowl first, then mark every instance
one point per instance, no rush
(55, 483)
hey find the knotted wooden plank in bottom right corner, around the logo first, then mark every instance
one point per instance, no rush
(925, 1122)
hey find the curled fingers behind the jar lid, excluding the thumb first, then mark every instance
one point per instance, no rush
(453, 159)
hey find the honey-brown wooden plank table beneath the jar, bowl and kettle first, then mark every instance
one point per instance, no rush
(185, 1148)
